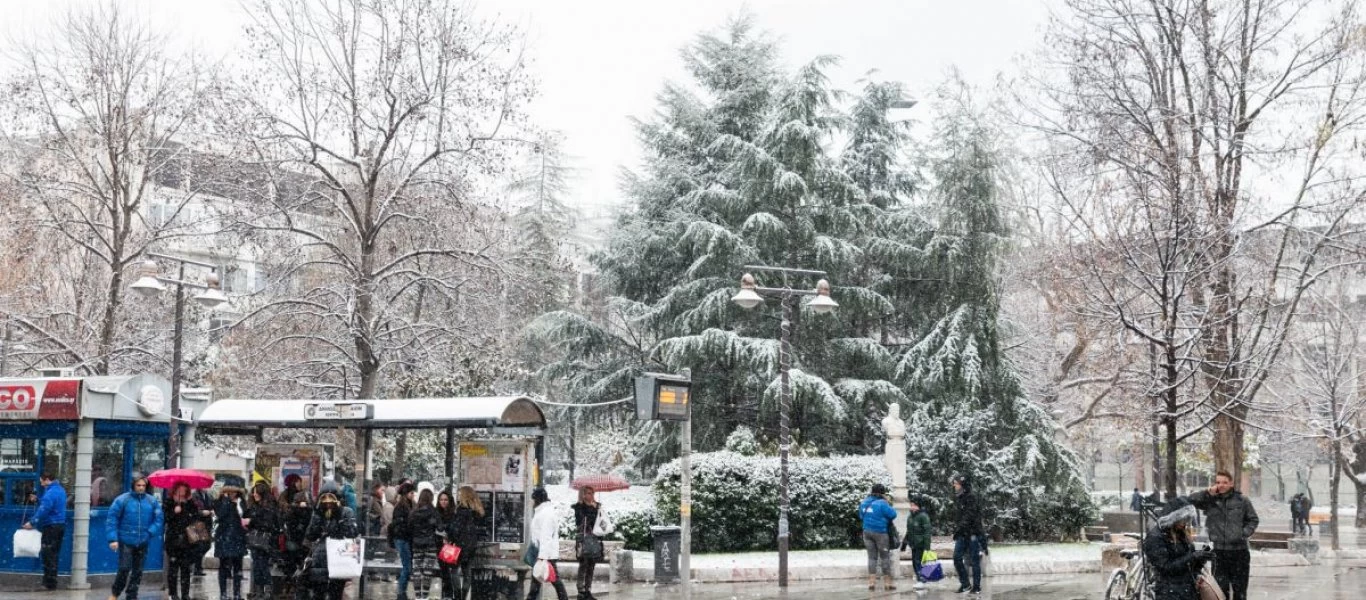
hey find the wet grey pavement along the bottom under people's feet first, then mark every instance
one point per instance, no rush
(1320, 583)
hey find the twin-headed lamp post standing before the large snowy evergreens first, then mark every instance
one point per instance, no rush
(749, 297)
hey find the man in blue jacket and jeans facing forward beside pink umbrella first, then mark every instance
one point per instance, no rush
(133, 523)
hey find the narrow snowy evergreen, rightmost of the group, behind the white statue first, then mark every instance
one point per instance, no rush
(971, 412)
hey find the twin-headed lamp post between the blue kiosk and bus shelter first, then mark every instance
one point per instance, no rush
(151, 284)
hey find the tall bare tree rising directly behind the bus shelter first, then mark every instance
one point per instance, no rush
(393, 114)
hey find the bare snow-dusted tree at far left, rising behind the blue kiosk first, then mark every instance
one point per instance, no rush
(94, 120)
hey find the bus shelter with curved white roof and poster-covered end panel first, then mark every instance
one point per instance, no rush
(502, 464)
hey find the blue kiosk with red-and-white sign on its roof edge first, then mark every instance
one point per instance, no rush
(96, 435)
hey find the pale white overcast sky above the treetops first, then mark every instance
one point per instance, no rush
(602, 62)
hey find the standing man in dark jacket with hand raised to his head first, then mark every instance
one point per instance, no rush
(1230, 520)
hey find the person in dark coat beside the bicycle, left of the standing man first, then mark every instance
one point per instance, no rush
(1173, 558)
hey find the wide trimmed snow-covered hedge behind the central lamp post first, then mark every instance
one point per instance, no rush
(736, 501)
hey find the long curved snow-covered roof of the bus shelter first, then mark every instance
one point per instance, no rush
(435, 413)
